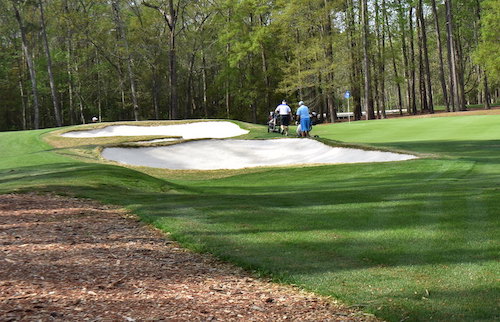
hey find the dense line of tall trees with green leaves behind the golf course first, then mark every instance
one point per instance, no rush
(63, 62)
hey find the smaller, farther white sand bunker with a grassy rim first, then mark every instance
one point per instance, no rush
(195, 130)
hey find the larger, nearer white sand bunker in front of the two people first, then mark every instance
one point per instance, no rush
(238, 154)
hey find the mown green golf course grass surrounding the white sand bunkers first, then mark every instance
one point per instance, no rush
(414, 240)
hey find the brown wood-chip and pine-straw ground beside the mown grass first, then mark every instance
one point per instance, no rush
(75, 260)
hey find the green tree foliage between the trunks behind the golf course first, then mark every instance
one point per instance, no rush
(232, 56)
